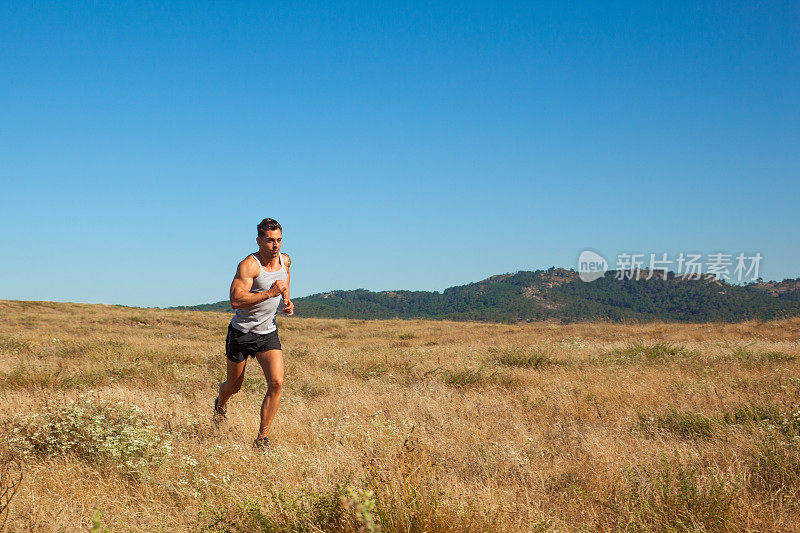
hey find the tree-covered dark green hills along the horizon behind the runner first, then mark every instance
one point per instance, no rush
(559, 294)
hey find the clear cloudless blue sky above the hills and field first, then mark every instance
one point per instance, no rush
(401, 145)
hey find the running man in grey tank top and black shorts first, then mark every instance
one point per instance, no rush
(261, 279)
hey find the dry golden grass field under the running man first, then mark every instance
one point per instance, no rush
(398, 425)
